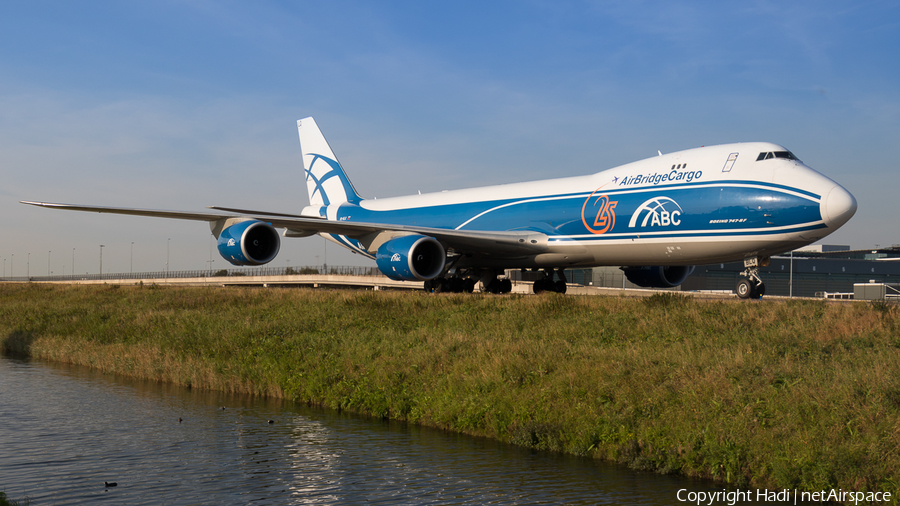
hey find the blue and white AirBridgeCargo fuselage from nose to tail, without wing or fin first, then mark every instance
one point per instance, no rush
(702, 205)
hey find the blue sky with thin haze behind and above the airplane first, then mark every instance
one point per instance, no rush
(182, 105)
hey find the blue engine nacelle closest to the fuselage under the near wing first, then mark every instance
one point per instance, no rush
(411, 258)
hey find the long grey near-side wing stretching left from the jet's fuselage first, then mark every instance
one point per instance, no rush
(481, 243)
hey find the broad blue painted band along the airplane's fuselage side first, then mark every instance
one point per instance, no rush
(703, 208)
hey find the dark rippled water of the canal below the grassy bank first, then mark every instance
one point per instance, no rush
(66, 430)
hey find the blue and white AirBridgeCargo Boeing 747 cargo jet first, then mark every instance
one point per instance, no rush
(657, 218)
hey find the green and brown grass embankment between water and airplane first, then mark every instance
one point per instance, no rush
(779, 394)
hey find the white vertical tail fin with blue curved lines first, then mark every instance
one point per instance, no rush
(325, 178)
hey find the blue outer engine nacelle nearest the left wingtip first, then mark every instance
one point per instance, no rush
(249, 242)
